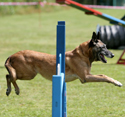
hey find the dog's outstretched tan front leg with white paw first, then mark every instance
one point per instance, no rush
(102, 78)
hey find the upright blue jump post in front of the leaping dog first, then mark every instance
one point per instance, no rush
(59, 108)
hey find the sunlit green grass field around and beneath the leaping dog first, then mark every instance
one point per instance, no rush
(38, 32)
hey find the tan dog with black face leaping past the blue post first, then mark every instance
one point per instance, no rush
(24, 65)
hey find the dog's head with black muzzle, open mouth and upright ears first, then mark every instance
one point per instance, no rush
(99, 48)
